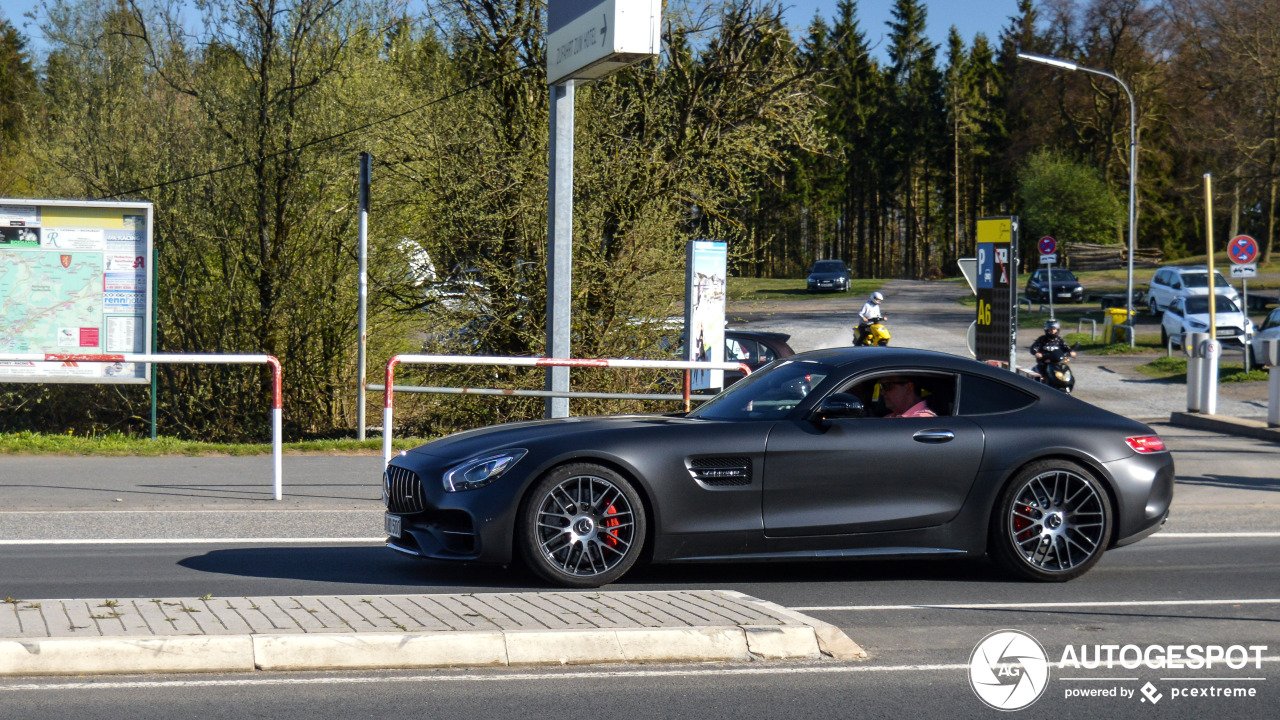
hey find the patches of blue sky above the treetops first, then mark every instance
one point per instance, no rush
(971, 17)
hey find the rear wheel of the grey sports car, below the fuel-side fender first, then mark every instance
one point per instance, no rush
(1053, 523)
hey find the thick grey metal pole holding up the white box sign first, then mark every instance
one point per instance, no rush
(560, 248)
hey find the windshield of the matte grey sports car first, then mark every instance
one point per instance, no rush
(769, 395)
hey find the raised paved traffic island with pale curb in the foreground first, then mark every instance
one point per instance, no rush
(410, 631)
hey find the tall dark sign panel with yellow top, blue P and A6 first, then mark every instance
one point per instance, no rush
(998, 290)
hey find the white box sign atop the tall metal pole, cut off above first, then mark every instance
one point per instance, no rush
(591, 39)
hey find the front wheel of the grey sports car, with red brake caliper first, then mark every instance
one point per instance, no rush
(583, 526)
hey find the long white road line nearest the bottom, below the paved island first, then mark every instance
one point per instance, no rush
(497, 677)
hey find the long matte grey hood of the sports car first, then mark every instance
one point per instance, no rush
(470, 444)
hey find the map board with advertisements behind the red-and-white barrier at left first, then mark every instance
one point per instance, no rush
(75, 280)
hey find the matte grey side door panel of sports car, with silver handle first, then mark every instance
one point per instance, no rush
(867, 475)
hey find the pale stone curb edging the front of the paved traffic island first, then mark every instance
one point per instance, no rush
(380, 651)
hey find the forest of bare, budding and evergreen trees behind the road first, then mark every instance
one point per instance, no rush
(244, 129)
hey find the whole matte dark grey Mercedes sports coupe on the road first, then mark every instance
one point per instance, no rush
(797, 462)
